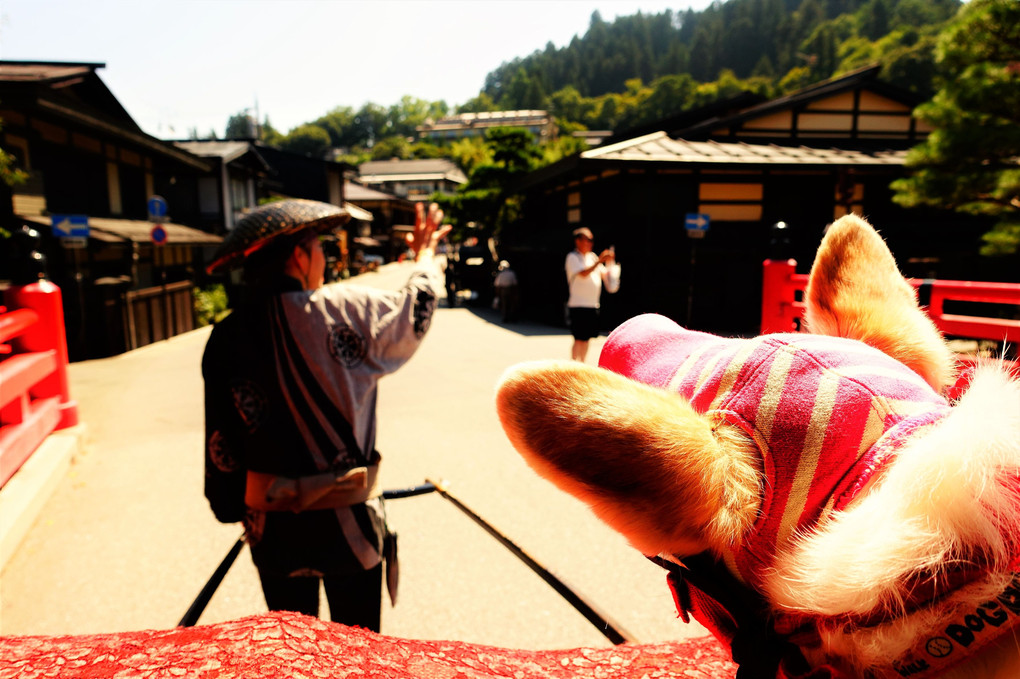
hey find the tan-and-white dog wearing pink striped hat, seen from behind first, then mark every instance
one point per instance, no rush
(822, 506)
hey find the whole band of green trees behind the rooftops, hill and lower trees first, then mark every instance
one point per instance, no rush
(645, 68)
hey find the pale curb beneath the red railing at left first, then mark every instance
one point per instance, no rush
(25, 495)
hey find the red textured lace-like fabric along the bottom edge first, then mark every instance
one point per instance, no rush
(290, 645)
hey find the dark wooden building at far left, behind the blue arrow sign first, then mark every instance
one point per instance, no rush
(87, 160)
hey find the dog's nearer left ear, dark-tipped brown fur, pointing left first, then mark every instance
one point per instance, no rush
(650, 466)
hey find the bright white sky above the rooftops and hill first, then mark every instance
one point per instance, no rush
(178, 65)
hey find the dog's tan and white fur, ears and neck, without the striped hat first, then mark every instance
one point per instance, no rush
(676, 483)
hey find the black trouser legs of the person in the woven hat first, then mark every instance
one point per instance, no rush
(354, 601)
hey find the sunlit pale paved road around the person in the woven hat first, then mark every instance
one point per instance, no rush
(127, 541)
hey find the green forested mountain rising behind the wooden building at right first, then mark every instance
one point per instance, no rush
(769, 46)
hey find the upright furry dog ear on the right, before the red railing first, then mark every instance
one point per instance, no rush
(856, 291)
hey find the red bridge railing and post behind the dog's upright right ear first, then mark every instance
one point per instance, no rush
(783, 304)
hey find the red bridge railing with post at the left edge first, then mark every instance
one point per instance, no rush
(34, 399)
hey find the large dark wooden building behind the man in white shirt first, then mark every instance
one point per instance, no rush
(804, 160)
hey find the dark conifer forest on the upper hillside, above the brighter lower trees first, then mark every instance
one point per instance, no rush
(749, 38)
